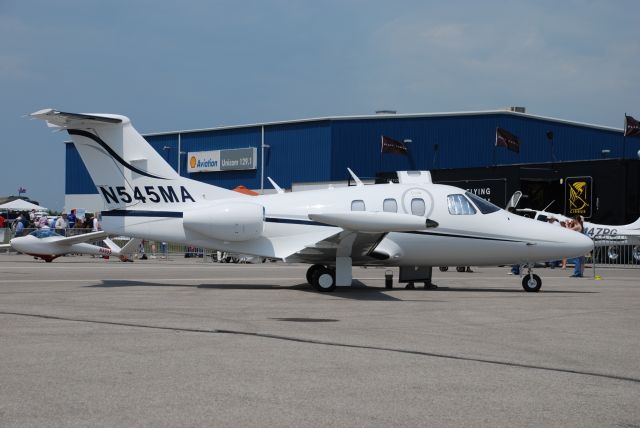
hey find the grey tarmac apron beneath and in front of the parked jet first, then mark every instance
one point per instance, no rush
(182, 342)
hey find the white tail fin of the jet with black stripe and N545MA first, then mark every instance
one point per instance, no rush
(127, 171)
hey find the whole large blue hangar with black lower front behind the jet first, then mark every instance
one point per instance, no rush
(576, 168)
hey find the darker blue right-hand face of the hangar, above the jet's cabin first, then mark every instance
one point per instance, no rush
(463, 142)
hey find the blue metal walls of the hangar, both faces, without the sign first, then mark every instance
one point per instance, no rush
(322, 150)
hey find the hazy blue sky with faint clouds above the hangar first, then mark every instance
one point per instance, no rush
(172, 65)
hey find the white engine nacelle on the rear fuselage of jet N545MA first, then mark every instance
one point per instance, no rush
(231, 221)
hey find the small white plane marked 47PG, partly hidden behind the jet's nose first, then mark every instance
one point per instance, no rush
(603, 235)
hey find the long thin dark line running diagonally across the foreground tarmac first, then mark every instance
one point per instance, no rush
(334, 344)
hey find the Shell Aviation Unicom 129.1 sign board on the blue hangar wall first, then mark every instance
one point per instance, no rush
(222, 160)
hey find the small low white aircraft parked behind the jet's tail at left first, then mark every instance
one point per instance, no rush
(47, 245)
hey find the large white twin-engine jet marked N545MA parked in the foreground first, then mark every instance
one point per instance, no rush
(414, 224)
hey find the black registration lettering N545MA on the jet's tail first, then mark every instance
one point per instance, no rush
(154, 194)
